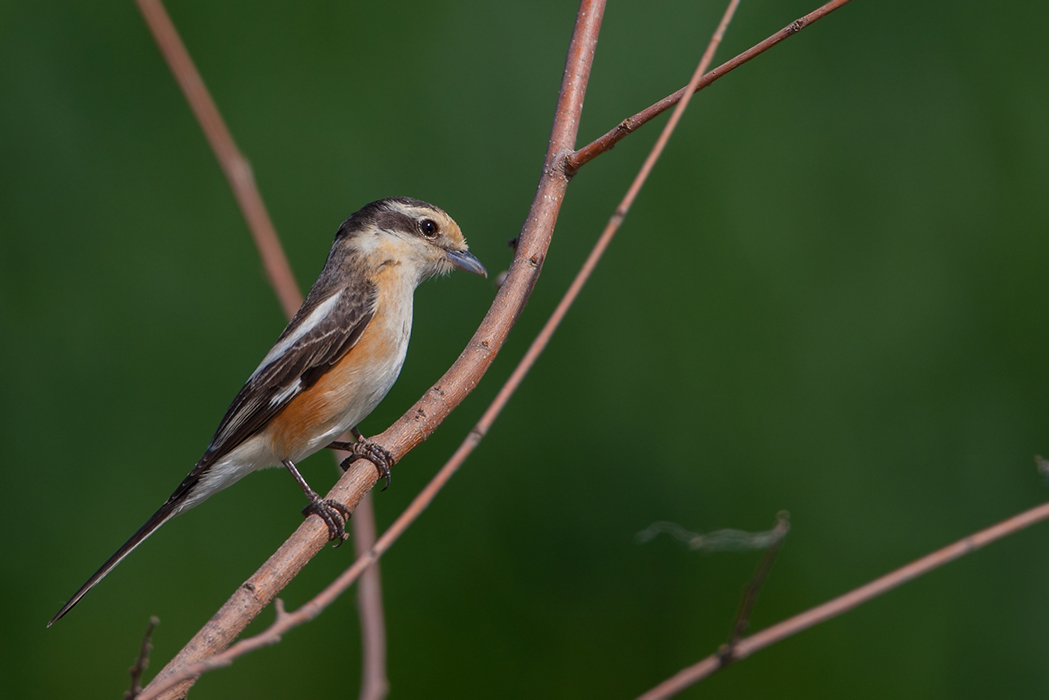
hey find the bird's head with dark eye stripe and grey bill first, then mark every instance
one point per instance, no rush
(416, 238)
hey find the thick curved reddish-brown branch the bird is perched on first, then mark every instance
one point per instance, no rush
(448, 393)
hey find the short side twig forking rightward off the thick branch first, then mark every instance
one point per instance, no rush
(606, 143)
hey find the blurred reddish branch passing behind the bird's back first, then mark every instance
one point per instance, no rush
(283, 280)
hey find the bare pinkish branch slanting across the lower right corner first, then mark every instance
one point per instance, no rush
(846, 603)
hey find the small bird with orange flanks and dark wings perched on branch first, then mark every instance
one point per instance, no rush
(333, 365)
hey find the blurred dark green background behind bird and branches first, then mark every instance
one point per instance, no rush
(830, 299)
